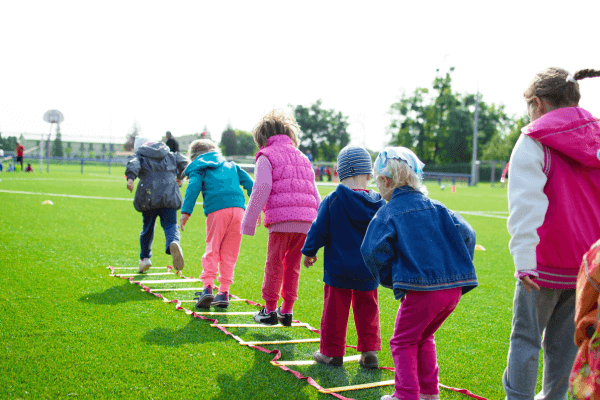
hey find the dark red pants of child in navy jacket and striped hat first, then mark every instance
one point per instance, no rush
(334, 322)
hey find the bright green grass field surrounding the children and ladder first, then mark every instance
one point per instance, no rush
(67, 329)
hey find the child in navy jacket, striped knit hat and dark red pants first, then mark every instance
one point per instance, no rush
(342, 220)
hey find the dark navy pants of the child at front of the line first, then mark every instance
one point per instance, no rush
(168, 221)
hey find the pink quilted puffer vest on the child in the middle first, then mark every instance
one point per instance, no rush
(292, 195)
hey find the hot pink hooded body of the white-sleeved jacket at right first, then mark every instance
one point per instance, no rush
(571, 141)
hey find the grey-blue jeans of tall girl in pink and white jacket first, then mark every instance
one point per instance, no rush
(544, 319)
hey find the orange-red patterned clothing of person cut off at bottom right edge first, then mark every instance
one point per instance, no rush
(585, 376)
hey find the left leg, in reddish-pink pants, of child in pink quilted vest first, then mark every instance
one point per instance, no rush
(273, 277)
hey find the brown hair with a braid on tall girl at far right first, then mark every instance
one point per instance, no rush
(552, 85)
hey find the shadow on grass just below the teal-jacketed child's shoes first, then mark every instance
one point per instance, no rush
(196, 331)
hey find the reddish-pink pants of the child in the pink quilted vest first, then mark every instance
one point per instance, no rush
(282, 269)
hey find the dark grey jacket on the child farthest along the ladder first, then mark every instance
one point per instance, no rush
(157, 168)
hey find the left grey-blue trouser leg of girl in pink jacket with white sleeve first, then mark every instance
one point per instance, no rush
(531, 313)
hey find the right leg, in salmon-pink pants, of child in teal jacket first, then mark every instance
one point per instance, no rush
(230, 247)
